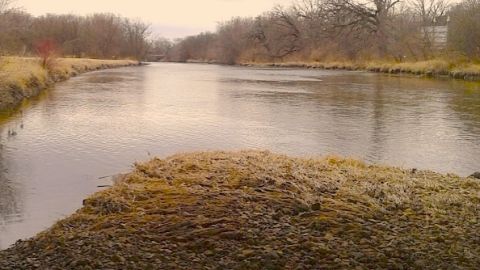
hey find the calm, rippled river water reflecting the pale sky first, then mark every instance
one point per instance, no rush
(56, 148)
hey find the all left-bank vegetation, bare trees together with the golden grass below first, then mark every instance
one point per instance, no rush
(24, 37)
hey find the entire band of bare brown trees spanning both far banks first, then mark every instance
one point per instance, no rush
(307, 30)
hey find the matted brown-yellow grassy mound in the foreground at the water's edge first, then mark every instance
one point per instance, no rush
(257, 210)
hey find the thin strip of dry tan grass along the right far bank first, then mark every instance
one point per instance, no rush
(431, 68)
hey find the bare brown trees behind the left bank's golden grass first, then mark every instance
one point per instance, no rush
(103, 35)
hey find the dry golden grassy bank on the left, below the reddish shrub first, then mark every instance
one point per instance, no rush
(22, 78)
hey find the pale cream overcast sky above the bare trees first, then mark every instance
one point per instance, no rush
(169, 18)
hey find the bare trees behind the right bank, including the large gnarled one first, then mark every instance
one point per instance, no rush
(332, 30)
